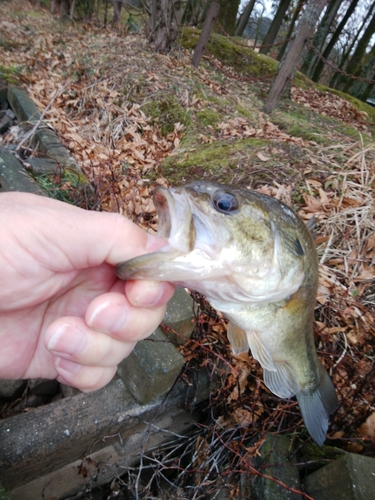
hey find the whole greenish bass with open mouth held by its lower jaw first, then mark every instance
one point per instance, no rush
(255, 261)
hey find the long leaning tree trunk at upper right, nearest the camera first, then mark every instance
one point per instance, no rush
(294, 51)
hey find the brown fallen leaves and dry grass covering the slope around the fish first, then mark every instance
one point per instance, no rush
(99, 117)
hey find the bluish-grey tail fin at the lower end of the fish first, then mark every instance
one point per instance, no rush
(317, 405)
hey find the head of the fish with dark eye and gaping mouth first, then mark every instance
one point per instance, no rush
(222, 242)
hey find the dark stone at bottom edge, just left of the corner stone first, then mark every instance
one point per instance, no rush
(274, 462)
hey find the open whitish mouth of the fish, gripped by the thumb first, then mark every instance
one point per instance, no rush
(175, 224)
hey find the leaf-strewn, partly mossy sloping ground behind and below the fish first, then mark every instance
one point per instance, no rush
(133, 118)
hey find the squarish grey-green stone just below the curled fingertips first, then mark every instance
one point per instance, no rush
(152, 368)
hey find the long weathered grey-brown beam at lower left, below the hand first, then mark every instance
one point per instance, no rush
(45, 446)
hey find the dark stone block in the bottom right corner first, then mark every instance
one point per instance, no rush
(351, 477)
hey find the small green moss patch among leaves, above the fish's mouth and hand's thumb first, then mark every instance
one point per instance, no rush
(165, 112)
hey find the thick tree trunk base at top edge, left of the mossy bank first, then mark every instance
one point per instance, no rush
(162, 27)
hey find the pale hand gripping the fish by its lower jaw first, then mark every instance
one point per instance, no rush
(63, 312)
